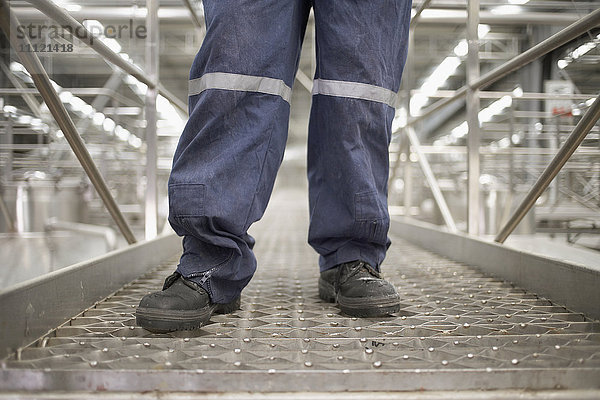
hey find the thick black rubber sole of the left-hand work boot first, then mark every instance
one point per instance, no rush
(157, 320)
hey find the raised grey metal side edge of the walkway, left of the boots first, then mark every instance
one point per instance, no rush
(31, 309)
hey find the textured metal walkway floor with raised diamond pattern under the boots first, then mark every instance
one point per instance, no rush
(457, 329)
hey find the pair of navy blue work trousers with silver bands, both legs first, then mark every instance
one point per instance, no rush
(231, 148)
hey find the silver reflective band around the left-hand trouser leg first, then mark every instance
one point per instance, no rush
(244, 83)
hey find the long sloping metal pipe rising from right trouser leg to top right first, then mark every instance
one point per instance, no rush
(564, 36)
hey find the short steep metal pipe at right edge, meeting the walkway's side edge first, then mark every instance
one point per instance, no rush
(562, 156)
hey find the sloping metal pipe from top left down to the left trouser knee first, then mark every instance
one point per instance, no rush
(64, 19)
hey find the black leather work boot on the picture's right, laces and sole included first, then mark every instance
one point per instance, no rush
(359, 290)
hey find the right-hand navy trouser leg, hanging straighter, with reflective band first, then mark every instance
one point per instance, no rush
(361, 50)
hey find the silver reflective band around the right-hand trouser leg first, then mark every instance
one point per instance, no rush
(354, 90)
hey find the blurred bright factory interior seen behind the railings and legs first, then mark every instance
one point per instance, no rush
(524, 118)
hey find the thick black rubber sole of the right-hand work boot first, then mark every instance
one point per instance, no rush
(364, 308)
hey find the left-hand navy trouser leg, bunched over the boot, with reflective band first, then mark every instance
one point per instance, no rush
(229, 153)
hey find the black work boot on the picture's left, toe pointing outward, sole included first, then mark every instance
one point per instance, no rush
(181, 305)
